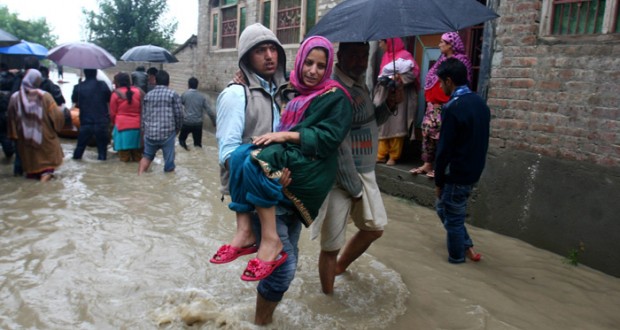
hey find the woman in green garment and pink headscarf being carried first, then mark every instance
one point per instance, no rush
(312, 126)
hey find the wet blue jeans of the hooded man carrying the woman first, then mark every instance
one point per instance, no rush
(273, 287)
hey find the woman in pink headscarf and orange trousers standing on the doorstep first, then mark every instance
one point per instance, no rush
(397, 64)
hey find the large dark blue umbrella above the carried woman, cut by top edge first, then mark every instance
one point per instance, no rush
(365, 20)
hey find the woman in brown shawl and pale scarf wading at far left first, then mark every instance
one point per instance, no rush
(33, 122)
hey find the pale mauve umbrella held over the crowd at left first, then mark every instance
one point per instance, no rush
(83, 55)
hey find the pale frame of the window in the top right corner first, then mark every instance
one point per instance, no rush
(608, 27)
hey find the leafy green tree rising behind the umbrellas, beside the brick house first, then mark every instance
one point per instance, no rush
(122, 24)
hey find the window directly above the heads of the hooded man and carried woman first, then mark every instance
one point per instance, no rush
(292, 18)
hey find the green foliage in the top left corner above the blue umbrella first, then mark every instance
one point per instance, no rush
(36, 30)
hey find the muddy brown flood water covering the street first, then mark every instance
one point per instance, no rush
(100, 248)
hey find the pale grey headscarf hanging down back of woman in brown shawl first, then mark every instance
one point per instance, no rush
(30, 107)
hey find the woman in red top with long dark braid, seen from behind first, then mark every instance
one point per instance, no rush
(125, 109)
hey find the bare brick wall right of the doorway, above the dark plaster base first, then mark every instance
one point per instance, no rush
(558, 97)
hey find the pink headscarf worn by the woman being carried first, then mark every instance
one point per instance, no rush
(295, 109)
